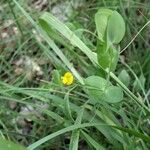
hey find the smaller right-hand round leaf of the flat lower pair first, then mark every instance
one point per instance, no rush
(113, 94)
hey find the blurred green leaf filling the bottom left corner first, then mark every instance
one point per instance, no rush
(8, 145)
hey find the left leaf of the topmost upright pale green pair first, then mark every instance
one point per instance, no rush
(101, 20)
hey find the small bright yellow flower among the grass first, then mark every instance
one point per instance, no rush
(67, 79)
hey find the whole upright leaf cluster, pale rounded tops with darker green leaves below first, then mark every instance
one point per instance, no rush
(111, 29)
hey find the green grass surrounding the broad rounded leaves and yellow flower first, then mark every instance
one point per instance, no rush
(37, 48)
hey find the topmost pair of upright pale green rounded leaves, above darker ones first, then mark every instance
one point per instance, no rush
(110, 26)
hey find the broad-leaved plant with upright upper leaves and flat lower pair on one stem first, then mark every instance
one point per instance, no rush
(110, 28)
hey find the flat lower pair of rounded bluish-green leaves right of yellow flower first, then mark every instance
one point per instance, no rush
(100, 89)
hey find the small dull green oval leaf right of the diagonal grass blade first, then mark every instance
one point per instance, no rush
(124, 77)
